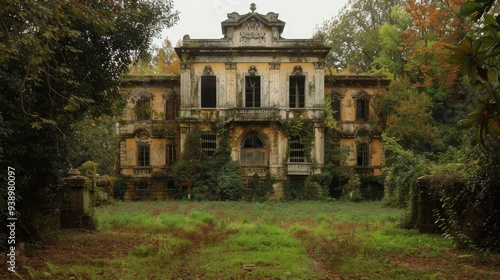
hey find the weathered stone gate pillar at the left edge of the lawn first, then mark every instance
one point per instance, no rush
(79, 212)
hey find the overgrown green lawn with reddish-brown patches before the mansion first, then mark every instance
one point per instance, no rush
(243, 240)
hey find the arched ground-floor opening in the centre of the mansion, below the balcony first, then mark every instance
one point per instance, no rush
(253, 150)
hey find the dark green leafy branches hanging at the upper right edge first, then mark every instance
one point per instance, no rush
(478, 58)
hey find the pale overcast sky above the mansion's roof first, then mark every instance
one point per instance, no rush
(201, 18)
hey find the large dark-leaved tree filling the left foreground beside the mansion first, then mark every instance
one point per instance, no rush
(61, 61)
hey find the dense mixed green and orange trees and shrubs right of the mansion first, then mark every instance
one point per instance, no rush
(443, 59)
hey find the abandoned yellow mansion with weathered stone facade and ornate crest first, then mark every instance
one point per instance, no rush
(262, 89)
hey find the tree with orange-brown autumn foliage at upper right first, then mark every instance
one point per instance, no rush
(434, 24)
